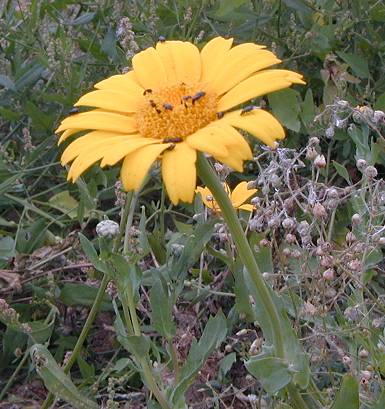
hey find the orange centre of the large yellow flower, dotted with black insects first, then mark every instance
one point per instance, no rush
(175, 112)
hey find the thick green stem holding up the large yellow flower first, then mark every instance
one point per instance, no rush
(211, 180)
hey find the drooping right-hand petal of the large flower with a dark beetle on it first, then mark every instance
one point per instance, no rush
(258, 123)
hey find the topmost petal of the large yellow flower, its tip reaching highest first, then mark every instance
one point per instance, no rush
(212, 55)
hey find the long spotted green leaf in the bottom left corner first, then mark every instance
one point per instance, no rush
(56, 381)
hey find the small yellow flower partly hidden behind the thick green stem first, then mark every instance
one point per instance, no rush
(238, 197)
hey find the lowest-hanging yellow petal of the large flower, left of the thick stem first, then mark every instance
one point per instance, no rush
(179, 173)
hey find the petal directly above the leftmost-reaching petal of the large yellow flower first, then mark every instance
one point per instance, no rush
(111, 100)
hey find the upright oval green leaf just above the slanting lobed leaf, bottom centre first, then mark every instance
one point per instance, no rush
(161, 309)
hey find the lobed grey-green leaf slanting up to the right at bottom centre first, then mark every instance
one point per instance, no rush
(212, 337)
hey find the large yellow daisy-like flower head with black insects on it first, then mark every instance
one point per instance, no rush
(175, 102)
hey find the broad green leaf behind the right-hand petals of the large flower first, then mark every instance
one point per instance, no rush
(286, 107)
